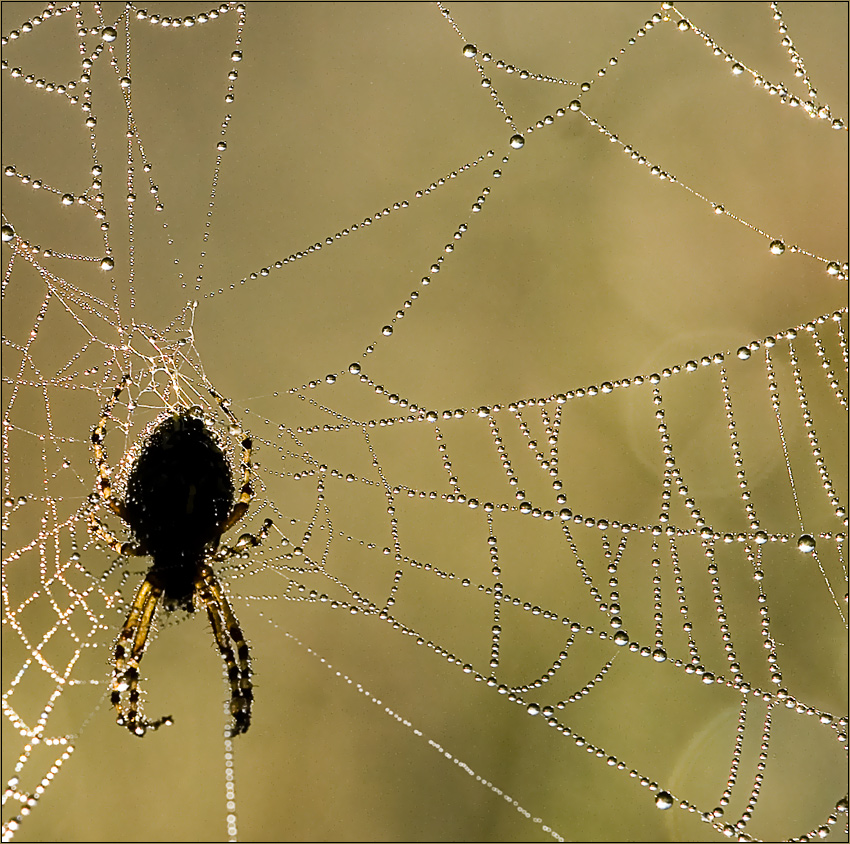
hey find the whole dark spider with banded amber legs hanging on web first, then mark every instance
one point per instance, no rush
(178, 503)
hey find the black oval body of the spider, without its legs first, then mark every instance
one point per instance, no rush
(179, 493)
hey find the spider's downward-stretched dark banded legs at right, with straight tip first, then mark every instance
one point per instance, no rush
(226, 629)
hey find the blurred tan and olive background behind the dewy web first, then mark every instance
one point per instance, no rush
(580, 269)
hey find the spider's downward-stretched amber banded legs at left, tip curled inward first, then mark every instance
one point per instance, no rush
(125, 673)
